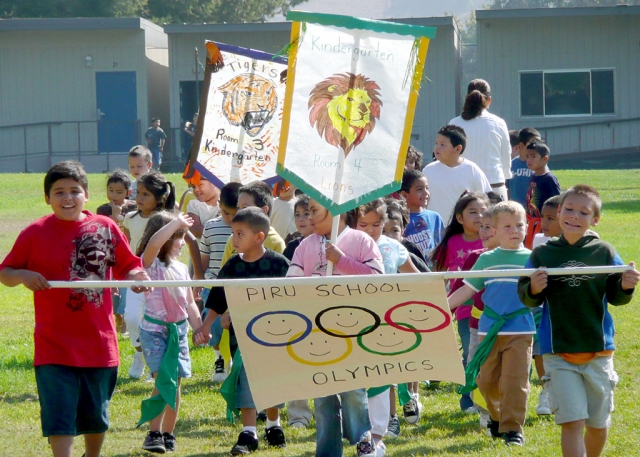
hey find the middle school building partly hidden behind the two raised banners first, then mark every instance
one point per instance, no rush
(440, 95)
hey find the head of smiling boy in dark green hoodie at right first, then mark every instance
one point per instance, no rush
(580, 208)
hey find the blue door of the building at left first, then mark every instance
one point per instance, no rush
(117, 111)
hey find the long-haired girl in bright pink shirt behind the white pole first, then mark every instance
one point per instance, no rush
(461, 237)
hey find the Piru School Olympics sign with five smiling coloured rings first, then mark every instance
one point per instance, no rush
(311, 337)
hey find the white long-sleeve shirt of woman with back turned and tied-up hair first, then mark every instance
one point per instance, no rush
(488, 145)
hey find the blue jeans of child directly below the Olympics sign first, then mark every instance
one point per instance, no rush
(346, 416)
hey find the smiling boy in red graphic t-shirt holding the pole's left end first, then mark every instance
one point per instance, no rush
(76, 350)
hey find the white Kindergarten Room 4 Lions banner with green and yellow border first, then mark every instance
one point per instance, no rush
(352, 88)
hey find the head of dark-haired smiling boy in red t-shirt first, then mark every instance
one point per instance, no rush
(66, 189)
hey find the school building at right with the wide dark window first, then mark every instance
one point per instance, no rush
(571, 73)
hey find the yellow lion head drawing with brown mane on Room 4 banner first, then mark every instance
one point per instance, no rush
(344, 109)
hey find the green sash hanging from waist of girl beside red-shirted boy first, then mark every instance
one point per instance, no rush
(167, 377)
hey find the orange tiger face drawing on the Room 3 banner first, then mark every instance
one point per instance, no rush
(249, 101)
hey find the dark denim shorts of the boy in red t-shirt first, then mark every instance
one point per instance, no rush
(74, 400)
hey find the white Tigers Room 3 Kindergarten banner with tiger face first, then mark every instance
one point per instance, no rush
(242, 104)
